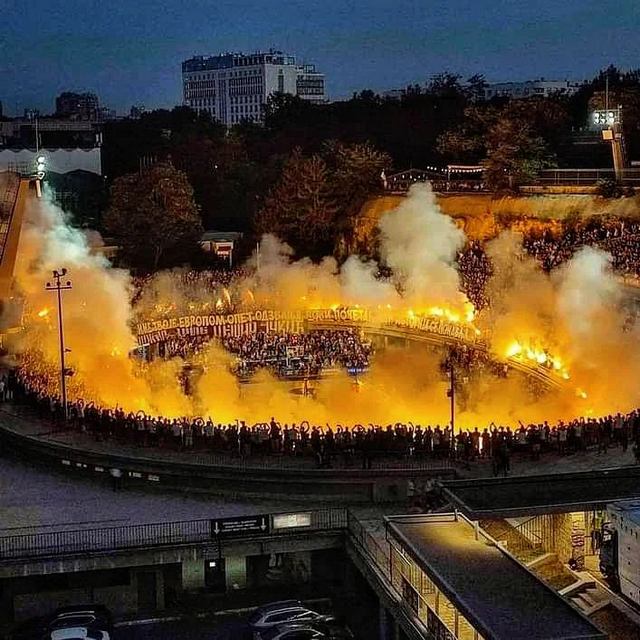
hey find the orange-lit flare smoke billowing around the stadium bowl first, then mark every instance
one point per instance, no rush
(574, 314)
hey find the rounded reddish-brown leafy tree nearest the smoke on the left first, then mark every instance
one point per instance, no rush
(153, 215)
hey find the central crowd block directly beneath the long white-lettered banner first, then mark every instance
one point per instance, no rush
(299, 354)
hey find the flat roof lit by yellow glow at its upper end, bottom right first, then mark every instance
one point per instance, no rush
(499, 597)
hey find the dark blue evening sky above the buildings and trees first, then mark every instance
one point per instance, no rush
(129, 51)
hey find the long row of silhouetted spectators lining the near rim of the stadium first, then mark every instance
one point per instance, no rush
(343, 444)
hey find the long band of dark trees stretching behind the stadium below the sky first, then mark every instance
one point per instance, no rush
(306, 172)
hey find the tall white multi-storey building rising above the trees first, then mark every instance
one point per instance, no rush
(234, 87)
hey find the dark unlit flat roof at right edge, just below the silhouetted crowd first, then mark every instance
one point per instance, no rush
(553, 493)
